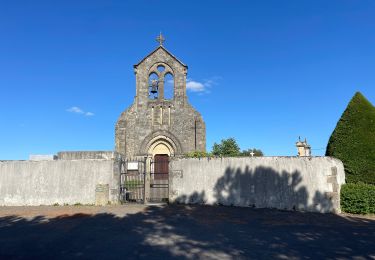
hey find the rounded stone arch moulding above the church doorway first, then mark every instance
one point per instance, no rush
(161, 137)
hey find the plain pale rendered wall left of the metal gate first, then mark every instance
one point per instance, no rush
(60, 181)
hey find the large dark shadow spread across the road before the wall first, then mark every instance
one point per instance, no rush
(188, 232)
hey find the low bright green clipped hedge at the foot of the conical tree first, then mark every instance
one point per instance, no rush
(358, 198)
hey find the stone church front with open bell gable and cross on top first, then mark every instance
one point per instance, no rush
(160, 121)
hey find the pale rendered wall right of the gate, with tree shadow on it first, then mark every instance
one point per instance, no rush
(291, 183)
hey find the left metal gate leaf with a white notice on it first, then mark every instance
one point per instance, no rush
(132, 181)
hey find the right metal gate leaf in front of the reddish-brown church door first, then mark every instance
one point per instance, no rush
(159, 178)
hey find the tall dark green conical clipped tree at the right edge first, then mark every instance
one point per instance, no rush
(353, 140)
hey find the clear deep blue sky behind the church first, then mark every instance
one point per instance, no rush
(263, 72)
